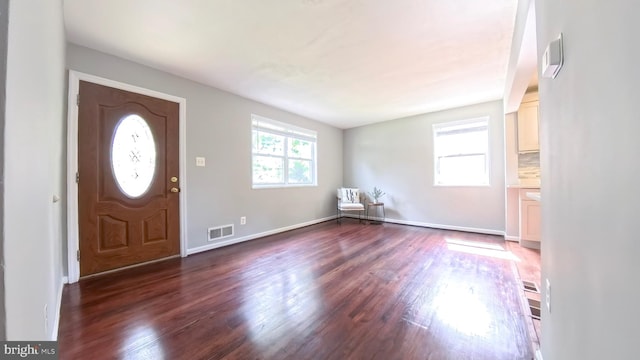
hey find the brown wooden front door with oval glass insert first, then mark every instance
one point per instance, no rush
(128, 199)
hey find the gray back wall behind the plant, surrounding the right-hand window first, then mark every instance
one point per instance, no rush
(397, 156)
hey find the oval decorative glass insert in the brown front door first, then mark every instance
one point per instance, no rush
(133, 155)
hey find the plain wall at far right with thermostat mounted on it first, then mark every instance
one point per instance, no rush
(590, 151)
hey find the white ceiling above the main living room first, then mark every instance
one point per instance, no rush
(343, 62)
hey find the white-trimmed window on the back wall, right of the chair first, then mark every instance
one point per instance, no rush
(461, 153)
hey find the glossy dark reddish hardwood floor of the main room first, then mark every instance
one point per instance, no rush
(328, 291)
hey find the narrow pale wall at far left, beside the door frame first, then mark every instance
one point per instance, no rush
(33, 167)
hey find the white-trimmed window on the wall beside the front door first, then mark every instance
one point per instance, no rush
(282, 154)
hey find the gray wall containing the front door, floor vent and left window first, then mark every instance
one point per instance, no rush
(219, 128)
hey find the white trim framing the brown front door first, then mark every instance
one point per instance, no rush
(73, 245)
